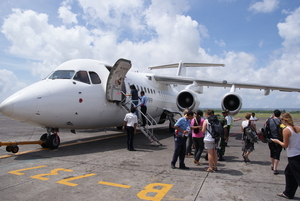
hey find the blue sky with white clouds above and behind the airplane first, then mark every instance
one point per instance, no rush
(257, 40)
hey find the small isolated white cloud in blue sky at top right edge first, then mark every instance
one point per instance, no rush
(265, 6)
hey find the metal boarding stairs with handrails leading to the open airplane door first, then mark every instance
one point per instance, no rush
(147, 130)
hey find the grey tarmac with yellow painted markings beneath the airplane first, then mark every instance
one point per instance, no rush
(95, 165)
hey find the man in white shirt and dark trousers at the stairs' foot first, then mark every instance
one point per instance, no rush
(130, 122)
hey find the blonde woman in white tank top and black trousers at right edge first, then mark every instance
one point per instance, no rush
(291, 141)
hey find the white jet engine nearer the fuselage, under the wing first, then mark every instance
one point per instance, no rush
(187, 99)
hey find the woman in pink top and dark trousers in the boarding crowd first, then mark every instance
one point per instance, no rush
(196, 126)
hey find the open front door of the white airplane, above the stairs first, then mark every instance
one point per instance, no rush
(116, 79)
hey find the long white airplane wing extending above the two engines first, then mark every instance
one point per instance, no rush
(181, 80)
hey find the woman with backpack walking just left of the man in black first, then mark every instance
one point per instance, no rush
(248, 146)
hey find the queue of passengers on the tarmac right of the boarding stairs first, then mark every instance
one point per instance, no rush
(197, 130)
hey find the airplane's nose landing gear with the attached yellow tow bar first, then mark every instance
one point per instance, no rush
(48, 140)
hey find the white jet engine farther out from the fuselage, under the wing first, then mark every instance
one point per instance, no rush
(232, 102)
